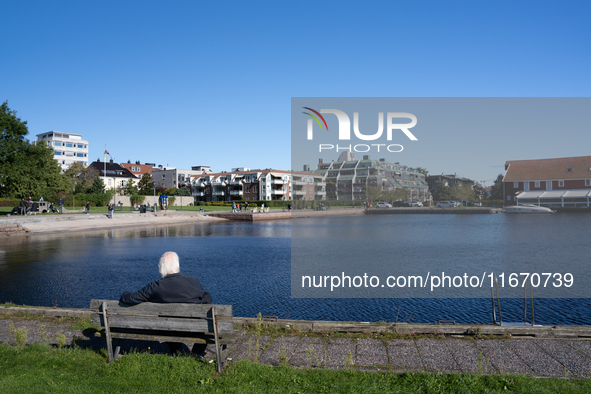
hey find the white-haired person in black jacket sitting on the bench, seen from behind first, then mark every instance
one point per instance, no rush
(174, 287)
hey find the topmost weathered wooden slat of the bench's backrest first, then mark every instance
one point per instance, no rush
(155, 309)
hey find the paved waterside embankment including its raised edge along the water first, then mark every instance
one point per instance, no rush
(559, 351)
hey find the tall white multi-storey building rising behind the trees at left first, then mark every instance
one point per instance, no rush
(69, 148)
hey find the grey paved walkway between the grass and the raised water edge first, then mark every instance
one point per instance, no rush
(534, 357)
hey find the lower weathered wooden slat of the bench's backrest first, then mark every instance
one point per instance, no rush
(162, 323)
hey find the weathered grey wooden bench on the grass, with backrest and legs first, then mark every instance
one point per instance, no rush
(195, 323)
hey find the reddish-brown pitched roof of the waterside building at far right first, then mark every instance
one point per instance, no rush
(548, 169)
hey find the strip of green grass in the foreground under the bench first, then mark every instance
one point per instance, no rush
(42, 369)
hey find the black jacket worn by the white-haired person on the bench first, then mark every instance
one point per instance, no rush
(173, 288)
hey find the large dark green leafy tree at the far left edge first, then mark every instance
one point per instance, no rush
(26, 170)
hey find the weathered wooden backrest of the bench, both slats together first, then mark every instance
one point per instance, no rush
(192, 318)
